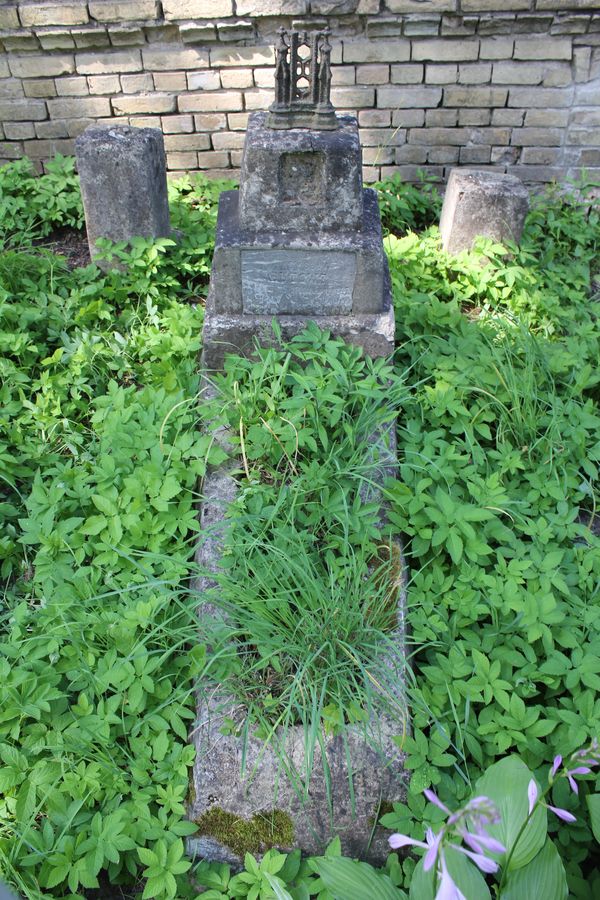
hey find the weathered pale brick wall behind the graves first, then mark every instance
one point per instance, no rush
(513, 84)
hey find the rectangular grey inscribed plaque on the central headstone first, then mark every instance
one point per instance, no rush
(298, 282)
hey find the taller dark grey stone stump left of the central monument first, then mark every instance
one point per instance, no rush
(123, 185)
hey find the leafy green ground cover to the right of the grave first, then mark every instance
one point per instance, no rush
(498, 487)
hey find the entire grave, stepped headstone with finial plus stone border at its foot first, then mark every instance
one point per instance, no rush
(300, 241)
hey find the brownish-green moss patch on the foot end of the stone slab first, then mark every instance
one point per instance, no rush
(255, 835)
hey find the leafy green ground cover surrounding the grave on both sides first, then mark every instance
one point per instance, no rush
(498, 387)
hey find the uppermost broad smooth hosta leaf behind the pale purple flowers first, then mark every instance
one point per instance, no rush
(506, 783)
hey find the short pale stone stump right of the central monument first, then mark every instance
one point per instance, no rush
(482, 204)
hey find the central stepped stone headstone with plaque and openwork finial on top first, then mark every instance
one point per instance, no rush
(301, 239)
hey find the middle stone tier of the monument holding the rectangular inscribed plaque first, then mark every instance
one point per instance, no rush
(328, 272)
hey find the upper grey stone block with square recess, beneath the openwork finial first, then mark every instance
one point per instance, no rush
(301, 179)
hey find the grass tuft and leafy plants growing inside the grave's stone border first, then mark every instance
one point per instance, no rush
(310, 583)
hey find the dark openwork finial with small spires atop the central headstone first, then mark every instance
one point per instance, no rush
(302, 81)
